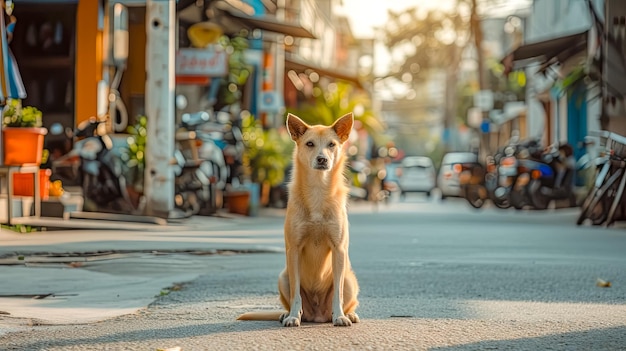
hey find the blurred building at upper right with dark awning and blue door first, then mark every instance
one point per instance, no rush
(573, 55)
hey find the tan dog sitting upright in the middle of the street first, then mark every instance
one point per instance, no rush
(317, 284)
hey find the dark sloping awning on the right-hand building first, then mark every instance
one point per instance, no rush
(546, 52)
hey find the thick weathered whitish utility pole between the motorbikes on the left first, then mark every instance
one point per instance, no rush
(159, 106)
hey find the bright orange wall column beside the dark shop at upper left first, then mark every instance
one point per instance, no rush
(88, 59)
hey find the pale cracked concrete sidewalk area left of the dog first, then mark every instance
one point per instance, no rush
(83, 276)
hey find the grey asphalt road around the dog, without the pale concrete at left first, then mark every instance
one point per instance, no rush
(433, 276)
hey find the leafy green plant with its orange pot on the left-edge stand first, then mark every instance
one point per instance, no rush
(22, 134)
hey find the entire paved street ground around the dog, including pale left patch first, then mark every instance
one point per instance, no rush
(433, 275)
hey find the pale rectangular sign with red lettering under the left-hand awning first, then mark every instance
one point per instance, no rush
(201, 62)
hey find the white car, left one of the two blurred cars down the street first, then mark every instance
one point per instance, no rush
(416, 174)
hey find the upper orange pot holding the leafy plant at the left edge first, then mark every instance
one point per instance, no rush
(23, 145)
